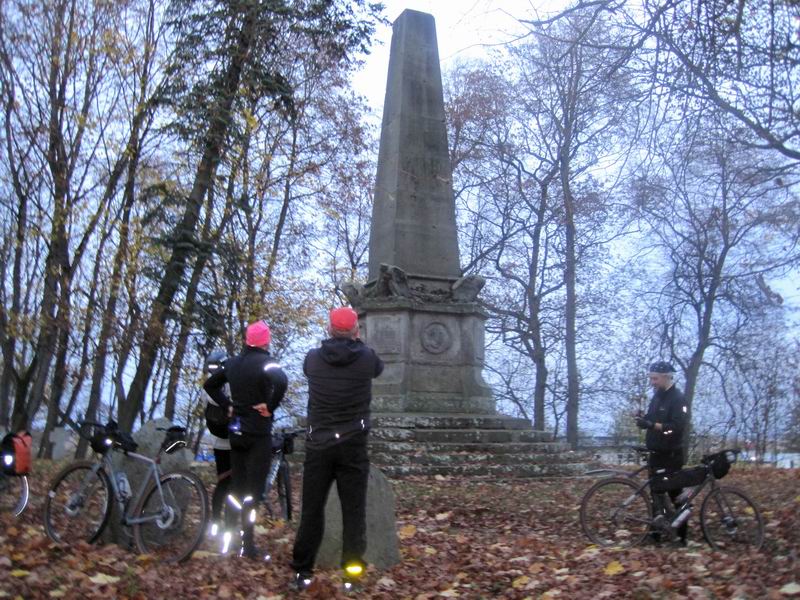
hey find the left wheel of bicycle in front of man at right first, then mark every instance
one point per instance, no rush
(615, 512)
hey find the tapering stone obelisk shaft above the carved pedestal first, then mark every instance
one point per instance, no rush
(413, 216)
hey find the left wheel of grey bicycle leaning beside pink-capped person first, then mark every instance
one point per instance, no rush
(64, 512)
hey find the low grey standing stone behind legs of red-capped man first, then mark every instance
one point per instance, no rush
(383, 549)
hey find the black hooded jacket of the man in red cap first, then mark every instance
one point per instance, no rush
(340, 375)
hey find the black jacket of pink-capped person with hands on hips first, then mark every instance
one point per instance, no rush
(254, 378)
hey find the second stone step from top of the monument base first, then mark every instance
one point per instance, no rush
(459, 435)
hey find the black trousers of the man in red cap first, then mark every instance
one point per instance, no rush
(347, 463)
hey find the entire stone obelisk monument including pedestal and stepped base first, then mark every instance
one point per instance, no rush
(432, 410)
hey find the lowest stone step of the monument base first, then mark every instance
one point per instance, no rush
(485, 470)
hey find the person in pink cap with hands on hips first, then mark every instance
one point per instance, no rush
(257, 385)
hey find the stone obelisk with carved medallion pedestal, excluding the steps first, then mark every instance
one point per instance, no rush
(418, 312)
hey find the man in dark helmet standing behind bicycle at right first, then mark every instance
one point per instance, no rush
(665, 423)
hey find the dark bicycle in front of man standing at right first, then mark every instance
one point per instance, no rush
(621, 510)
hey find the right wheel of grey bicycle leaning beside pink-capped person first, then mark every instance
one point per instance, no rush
(173, 520)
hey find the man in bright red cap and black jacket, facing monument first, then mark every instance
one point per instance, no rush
(340, 375)
